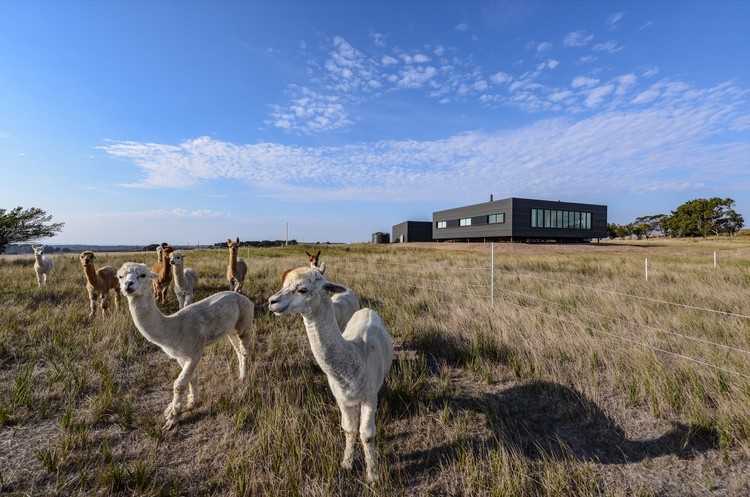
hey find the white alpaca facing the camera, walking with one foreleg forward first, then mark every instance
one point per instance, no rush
(184, 334)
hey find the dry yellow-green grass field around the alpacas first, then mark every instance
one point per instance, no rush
(580, 377)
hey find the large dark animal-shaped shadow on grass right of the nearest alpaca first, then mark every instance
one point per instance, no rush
(544, 420)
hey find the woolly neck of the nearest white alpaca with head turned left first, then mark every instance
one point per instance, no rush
(336, 356)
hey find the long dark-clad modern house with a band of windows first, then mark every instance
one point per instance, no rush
(521, 219)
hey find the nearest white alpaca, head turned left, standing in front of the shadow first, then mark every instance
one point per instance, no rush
(355, 363)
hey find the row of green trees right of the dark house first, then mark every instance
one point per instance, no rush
(700, 217)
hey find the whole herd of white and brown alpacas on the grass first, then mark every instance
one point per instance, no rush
(351, 345)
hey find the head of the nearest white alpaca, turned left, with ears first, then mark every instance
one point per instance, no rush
(300, 287)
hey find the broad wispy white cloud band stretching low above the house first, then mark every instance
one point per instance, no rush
(636, 144)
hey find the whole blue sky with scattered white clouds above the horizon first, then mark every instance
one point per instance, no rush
(194, 122)
